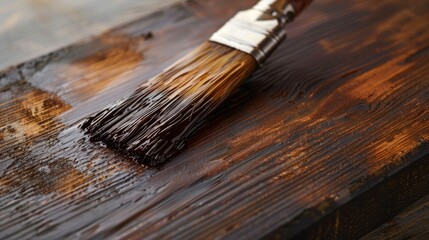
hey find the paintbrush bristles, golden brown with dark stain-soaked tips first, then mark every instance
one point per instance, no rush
(154, 122)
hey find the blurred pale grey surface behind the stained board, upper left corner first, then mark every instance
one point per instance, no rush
(30, 28)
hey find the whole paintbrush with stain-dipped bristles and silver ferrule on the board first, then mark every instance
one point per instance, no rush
(155, 122)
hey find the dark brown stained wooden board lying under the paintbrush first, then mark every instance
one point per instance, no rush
(328, 139)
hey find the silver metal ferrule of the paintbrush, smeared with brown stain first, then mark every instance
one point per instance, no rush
(257, 31)
